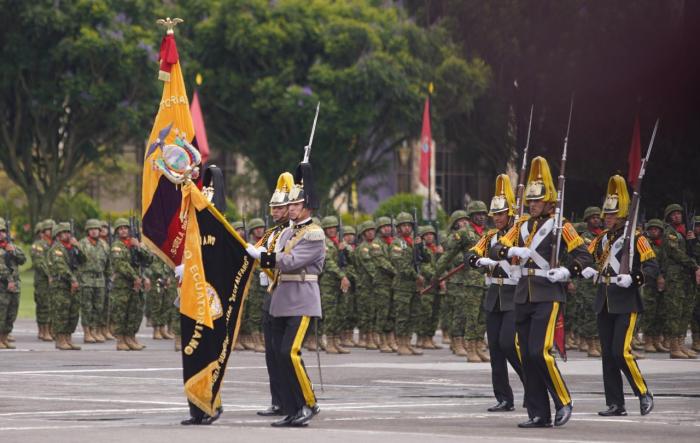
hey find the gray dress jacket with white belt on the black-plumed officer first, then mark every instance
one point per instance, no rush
(300, 253)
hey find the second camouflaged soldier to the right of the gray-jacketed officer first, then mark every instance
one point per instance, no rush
(346, 261)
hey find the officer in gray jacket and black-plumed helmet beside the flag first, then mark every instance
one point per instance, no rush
(297, 261)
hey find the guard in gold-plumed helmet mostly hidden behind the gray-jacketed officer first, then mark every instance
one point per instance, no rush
(280, 216)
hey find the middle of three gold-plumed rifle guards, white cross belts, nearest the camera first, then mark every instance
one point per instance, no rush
(540, 293)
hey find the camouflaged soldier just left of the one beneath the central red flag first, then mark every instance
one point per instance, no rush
(407, 257)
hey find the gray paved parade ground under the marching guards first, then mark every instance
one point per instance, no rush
(101, 395)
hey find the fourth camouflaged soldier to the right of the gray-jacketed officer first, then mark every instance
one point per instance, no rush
(384, 338)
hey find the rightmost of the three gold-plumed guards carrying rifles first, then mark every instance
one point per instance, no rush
(618, 300)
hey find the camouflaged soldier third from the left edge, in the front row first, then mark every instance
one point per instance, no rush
(63, 260)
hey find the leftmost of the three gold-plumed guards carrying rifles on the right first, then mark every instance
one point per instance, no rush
(501, 278)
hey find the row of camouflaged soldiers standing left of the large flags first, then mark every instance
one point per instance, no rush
(104, 283)
